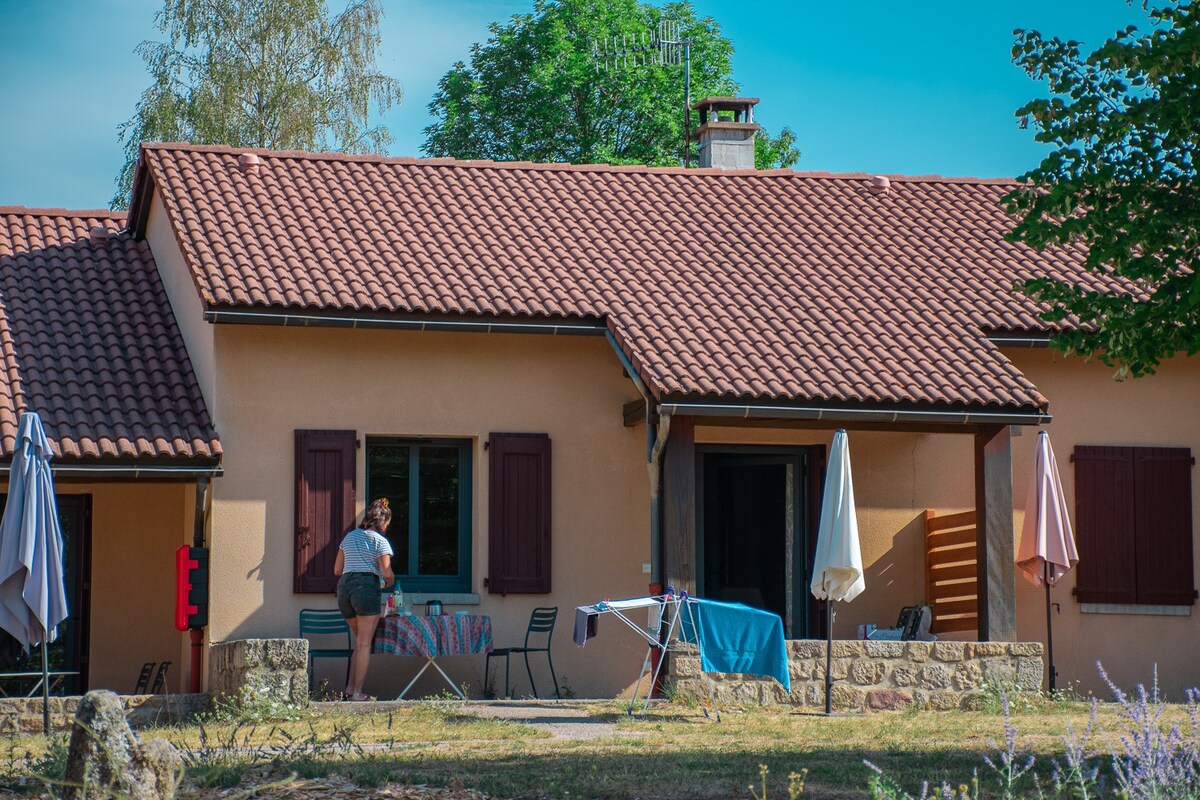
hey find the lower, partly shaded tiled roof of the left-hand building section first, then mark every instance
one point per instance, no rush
(88, 341)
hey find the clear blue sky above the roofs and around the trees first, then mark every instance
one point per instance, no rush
(875, 86)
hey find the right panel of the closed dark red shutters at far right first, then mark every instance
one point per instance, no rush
(1163, 480)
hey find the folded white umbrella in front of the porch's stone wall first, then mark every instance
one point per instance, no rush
(838, 568)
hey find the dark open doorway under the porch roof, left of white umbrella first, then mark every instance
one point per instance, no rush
(755, 531)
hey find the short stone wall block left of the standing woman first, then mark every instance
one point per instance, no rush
(278, 669)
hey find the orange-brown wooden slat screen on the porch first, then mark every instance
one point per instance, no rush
(951, 572)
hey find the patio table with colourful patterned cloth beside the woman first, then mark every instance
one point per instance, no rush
(433, 637)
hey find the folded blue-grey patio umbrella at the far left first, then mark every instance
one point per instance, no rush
(33, 599)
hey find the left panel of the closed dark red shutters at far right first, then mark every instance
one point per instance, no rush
(1105, 526)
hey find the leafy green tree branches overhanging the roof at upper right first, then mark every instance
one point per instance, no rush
(1125, 124)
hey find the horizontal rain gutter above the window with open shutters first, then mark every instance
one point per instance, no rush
(293, 320)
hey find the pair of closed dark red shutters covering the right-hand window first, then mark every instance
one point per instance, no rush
(1133, 525)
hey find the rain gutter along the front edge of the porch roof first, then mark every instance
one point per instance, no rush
(855, 416)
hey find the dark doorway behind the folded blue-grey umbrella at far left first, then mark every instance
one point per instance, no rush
(69, 652)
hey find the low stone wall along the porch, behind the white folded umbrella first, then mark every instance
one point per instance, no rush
(878, 676)
